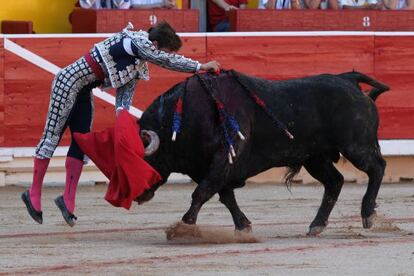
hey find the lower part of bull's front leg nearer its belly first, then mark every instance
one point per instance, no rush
(240, 220)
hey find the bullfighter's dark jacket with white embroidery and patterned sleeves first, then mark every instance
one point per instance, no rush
(124, 59)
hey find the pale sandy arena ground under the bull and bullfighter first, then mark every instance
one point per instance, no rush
(147, 240)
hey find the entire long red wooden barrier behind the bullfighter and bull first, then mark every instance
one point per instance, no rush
(390, 59)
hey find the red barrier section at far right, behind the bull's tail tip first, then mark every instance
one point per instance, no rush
(393, 57)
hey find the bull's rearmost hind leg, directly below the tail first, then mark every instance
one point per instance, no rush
(372, 163)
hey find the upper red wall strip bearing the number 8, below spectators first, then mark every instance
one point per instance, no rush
(250, 20)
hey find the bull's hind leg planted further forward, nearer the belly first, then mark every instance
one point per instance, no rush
(323, 170)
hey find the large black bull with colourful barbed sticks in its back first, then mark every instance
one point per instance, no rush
(328, 115)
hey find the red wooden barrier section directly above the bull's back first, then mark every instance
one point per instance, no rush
(286, 57)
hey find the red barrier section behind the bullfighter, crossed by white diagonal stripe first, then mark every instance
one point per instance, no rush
(26, 98)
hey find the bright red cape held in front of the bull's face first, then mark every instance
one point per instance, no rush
(118, 152)
